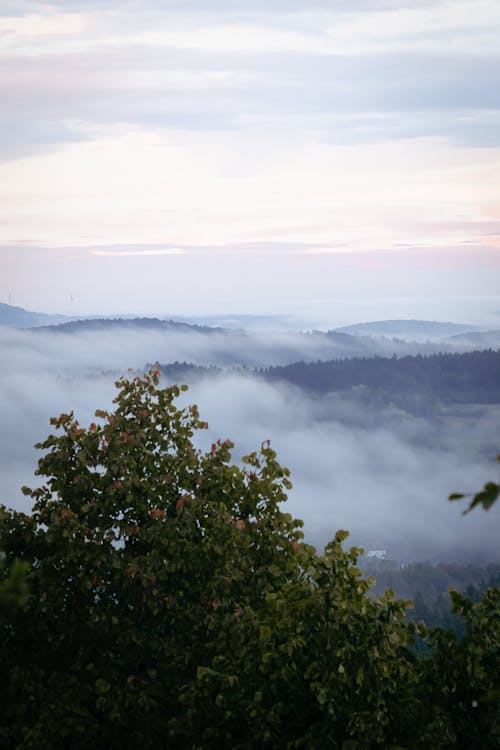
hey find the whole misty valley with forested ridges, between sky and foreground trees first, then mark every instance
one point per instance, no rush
(376, 431)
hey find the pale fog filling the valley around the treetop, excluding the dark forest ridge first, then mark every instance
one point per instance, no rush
(381, 474)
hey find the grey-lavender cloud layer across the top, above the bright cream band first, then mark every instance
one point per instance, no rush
(420, 70)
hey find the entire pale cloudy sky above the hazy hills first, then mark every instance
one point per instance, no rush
(336, 160)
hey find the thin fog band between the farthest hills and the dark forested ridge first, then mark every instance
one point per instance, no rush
(119, 344)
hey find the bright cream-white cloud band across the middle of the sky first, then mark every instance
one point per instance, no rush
(174, 188)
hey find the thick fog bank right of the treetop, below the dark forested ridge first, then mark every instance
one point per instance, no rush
(383, 477)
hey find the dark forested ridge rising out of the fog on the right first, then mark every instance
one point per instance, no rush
(419, 384)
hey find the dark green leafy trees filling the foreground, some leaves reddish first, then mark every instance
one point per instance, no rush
(164, 599)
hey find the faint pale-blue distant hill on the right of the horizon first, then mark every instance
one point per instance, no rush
(412, 330)
